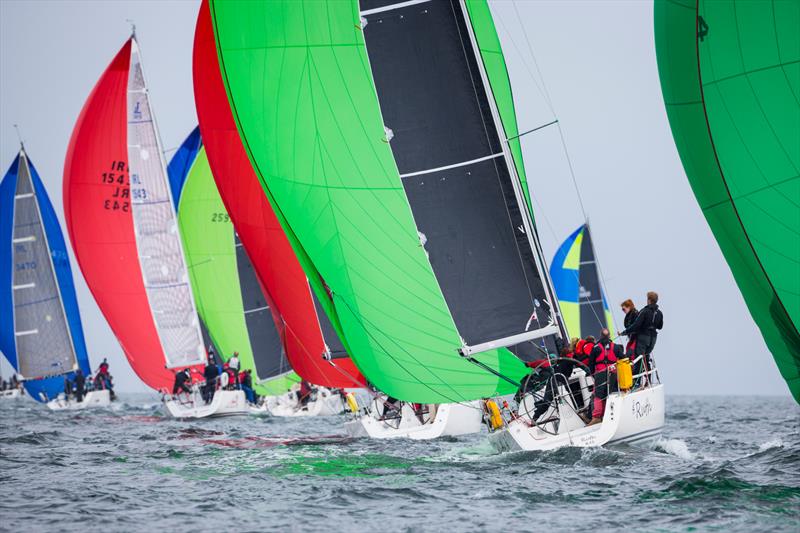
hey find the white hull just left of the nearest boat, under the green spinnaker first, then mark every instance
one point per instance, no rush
(450, 419)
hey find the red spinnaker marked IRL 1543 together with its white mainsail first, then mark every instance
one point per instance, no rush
(123, 226)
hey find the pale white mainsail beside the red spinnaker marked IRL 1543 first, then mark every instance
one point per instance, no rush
(166, 279)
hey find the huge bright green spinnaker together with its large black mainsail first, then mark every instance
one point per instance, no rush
(379, 132)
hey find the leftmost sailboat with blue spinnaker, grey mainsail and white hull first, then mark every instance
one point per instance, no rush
(40, 326)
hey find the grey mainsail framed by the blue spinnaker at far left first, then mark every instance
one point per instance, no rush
(43, 341)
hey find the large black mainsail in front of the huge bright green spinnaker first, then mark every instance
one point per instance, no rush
(449, 154)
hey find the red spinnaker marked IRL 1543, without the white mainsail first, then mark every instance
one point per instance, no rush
(100, 223)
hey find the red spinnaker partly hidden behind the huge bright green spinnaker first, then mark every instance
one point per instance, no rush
(267, 246)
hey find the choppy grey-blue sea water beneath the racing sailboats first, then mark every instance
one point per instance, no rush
(725, 464)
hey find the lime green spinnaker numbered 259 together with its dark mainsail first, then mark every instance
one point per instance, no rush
(215, 271)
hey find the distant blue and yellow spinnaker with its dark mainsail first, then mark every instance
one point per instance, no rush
(576, 279)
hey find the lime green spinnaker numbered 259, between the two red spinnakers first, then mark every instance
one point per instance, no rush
(208, 240)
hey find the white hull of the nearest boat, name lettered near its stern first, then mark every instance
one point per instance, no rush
(630, 417)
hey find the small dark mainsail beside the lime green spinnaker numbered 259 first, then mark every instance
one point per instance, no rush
(268, 355)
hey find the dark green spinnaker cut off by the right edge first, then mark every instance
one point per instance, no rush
(730, 74)
